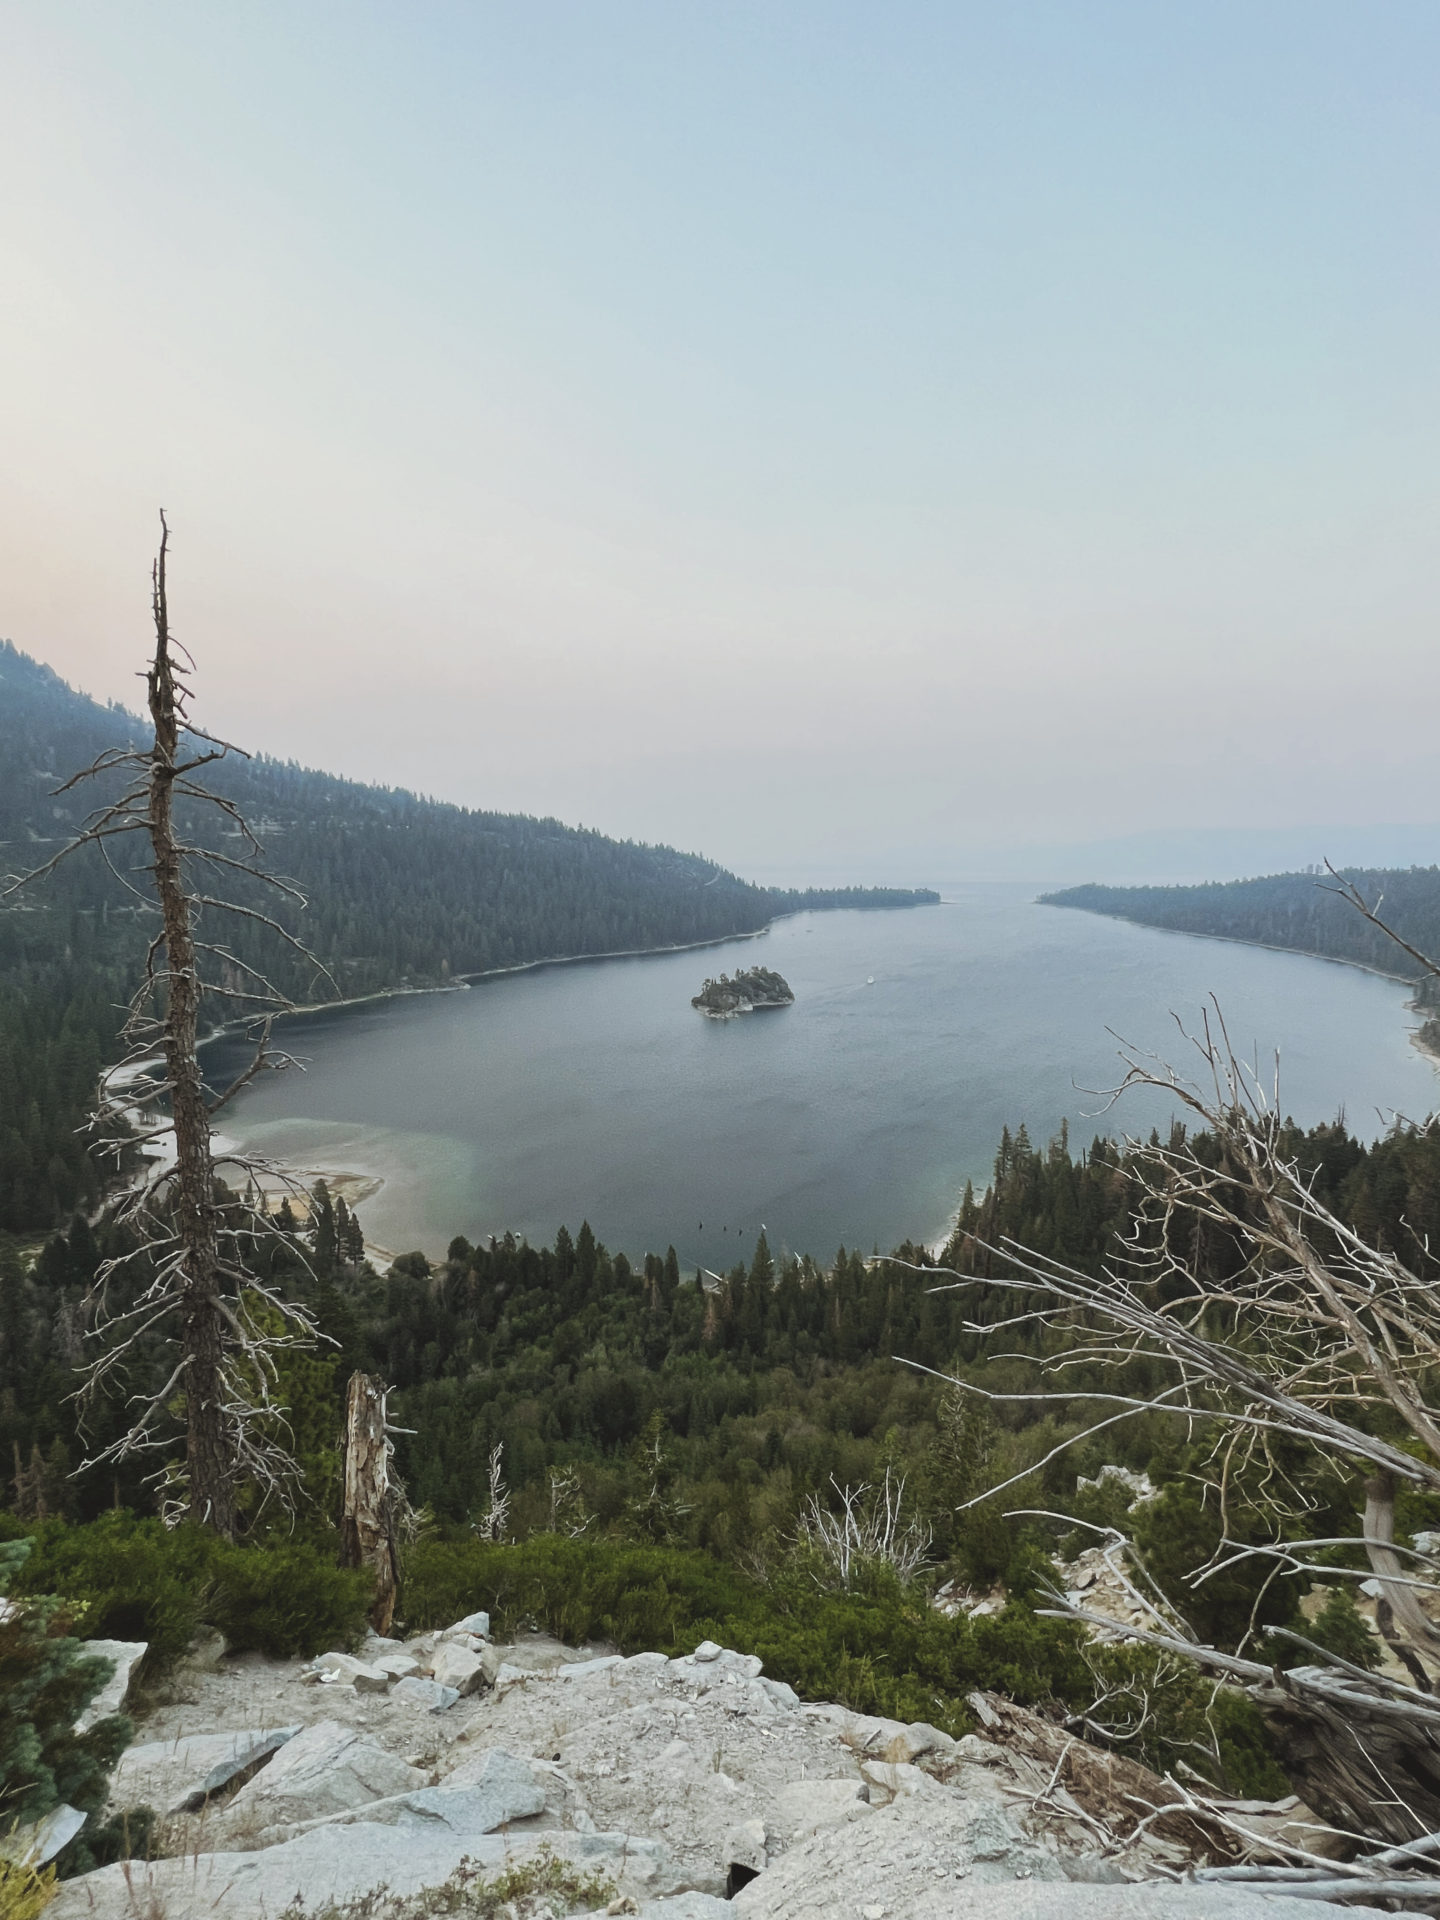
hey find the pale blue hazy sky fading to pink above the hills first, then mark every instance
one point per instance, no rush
(802, 433)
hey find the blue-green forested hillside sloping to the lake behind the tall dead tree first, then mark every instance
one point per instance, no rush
(402, 892)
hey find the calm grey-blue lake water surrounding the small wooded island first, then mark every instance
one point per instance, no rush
(852, 1118)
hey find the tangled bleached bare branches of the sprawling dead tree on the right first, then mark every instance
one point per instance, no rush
(1312, 1335)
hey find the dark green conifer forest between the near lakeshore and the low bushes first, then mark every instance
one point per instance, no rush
(765, 1385)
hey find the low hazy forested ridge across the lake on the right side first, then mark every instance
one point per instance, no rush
(1297, 911)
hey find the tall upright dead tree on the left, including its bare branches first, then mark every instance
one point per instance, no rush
(181, 1289)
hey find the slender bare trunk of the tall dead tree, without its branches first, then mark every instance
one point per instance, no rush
(210, 1460)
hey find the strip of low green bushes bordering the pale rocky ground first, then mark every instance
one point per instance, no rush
(878, 1648)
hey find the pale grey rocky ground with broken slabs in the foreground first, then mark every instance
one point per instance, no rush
(452, 1775)
